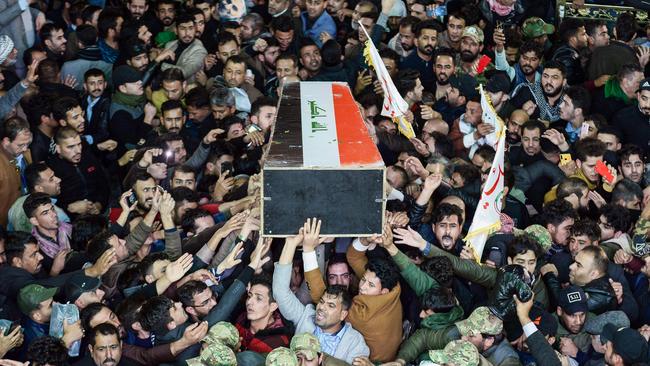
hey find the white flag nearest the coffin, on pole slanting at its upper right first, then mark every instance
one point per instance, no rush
(394, 105)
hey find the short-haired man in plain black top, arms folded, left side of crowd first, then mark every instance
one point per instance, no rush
(84, 184)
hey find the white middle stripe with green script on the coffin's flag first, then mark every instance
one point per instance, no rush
(320, 146)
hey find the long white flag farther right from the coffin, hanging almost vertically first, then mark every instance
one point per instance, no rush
(487, 216)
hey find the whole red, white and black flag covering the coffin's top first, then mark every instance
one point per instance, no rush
(319, 125)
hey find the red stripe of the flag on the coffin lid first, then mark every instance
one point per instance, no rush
(355, 145)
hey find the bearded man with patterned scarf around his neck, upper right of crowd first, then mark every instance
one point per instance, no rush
(542, 99)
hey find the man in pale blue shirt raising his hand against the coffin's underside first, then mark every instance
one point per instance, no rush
(324, 320)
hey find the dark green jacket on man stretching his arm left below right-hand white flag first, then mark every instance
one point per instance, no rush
(486, 276)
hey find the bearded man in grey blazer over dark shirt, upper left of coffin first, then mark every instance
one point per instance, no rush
(188, 50)
